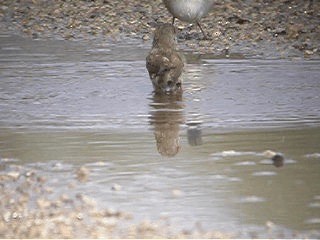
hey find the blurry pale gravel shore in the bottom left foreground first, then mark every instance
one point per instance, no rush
(31, 207)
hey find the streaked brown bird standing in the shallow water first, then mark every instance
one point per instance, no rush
(164, 63)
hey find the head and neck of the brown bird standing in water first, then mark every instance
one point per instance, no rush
(165, 36)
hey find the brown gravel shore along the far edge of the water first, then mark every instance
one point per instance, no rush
(266, 29)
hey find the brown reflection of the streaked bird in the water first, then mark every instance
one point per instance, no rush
(166, 115)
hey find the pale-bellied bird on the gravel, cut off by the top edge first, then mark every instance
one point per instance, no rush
(189, 10)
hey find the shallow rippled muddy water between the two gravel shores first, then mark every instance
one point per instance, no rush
(196, 159)
